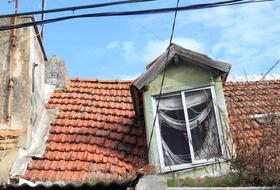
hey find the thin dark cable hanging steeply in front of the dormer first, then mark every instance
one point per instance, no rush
(164, 72)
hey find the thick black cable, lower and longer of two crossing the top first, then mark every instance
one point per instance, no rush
(138, 12)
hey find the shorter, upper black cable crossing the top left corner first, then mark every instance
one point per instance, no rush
(74, 8)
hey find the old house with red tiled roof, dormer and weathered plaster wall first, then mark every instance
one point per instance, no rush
(87, 130)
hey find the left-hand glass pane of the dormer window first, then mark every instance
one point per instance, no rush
(173, 130)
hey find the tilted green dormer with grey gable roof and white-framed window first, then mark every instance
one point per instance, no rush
(188, 129)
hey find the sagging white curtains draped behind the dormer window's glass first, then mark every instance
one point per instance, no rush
(175, 103)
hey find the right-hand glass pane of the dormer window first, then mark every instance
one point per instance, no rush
(203, 125)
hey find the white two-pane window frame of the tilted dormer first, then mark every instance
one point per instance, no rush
(194, 162)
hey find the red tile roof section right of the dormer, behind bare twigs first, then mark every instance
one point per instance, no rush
(245, 100)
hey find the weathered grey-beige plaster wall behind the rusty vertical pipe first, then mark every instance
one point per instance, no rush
(27, 52)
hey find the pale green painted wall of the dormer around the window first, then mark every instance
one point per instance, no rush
(180, 77)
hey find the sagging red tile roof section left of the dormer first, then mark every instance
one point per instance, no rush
(95, 136)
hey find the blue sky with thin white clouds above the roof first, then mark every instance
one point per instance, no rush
(247, 36)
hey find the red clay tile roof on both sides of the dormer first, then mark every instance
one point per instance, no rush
(97, 134)
